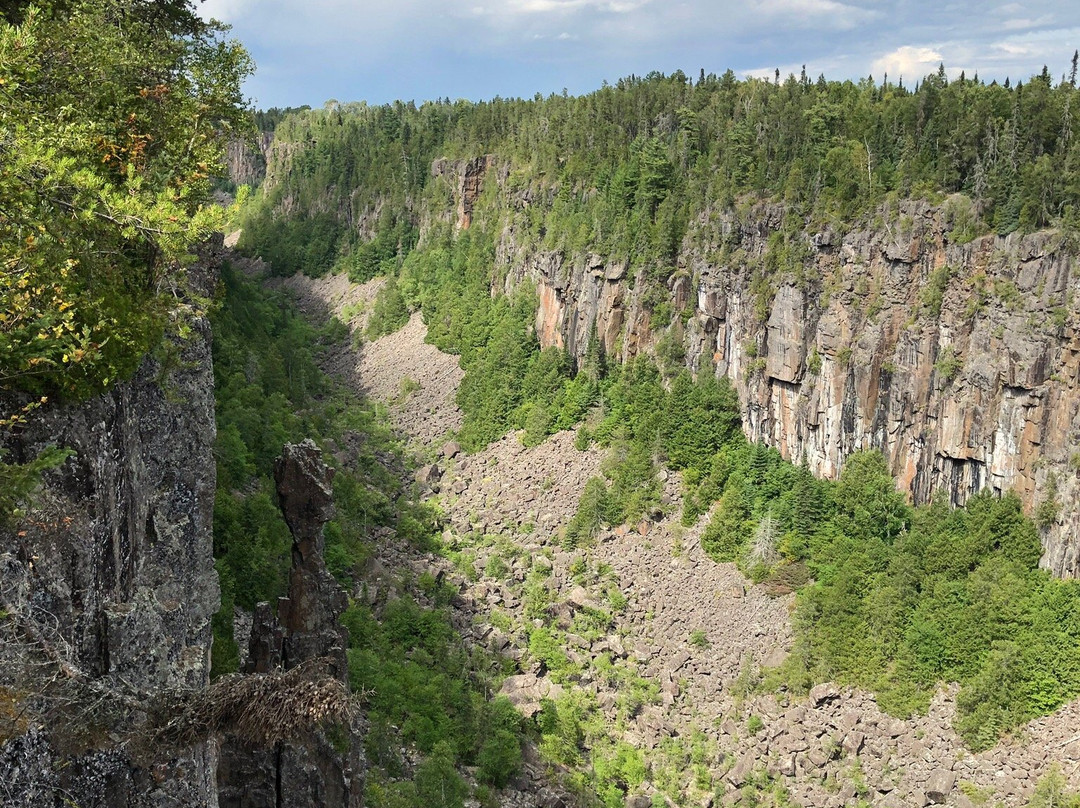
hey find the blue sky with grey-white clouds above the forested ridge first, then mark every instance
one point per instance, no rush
(315, 51)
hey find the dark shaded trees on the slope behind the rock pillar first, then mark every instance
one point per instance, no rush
(266, 389)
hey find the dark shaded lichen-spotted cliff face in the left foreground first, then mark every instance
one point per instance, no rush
(107, 589)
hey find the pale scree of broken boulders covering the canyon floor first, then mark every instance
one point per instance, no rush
(697, 629)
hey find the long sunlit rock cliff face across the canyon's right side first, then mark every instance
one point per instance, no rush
(960, 361)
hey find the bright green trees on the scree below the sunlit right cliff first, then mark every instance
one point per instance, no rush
(901, 599)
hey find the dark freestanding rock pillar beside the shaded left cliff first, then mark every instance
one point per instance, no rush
(318, 771)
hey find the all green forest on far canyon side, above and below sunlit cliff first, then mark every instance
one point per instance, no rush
(892, 598)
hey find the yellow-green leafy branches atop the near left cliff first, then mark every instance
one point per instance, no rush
(113, 118)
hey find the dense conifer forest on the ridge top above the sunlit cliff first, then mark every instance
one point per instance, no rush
(626, 169)
